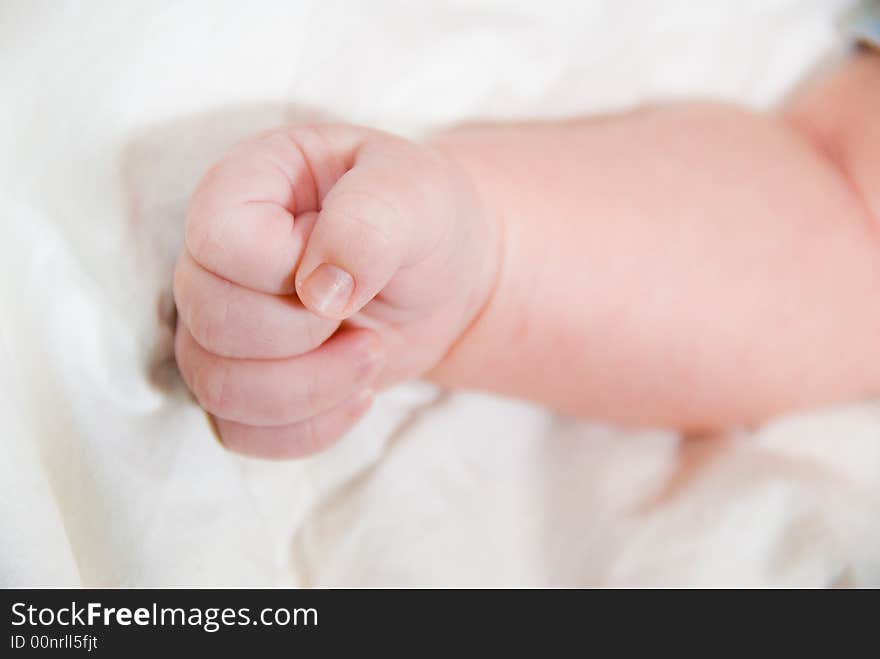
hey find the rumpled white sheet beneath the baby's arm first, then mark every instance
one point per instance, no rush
(109, 474)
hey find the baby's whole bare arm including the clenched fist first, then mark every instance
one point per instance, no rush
(696, 266)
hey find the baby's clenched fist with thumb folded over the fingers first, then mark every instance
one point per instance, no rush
(298, 230)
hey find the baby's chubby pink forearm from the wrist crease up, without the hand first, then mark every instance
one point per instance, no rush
(692, 266)
